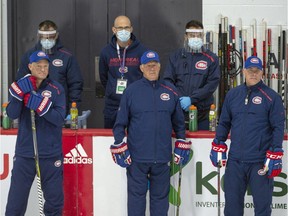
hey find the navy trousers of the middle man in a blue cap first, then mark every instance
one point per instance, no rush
(159, 184)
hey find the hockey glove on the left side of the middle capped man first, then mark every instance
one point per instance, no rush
(121, 154)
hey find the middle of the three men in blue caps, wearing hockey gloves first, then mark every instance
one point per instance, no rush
(149, 110)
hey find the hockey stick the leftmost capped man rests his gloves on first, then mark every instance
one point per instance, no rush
(38, 176)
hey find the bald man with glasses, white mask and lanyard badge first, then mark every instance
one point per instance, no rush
(119, 66)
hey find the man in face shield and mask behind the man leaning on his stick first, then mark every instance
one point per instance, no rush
(63, 66)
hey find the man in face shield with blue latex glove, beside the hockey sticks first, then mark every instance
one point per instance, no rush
(195, 71)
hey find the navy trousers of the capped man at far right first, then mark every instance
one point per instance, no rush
(238, 175)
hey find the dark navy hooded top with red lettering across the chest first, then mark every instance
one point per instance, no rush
(109, 65)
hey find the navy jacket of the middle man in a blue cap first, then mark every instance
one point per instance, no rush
(150, 110)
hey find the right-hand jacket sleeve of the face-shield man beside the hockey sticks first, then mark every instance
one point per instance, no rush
(211, 84)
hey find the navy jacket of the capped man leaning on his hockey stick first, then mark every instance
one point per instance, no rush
(48, 126)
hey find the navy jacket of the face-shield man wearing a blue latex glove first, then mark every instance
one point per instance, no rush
(196, 75)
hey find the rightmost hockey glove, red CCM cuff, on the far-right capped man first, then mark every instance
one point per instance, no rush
(273, 162)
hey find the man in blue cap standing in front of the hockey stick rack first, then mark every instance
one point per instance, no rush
(255, 115)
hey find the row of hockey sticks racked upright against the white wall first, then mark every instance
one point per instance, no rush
(271, 61)
